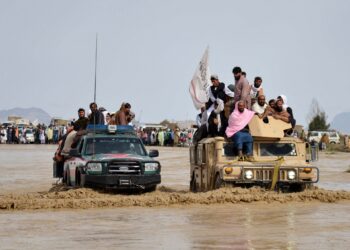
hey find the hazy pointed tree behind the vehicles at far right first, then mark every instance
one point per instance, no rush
(318, 118)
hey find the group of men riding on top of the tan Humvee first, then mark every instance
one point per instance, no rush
(230, 109)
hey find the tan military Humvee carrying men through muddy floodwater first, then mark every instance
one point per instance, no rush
(278, 162)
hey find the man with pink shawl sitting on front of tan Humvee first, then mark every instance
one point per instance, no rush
(237, 129)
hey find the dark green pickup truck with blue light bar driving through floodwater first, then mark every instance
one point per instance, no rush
(111, 157)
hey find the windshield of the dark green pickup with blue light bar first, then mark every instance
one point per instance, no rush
(114, 145)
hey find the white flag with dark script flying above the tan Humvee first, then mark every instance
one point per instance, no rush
(199, 86)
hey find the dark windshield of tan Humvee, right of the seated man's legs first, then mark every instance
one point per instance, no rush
(277, 149)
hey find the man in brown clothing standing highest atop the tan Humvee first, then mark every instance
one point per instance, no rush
(242, 88)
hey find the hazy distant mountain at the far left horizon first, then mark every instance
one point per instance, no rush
(31, 114)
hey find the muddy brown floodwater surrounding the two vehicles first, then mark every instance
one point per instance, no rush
(37, 215)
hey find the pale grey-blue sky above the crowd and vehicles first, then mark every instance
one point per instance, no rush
(148, 51)
